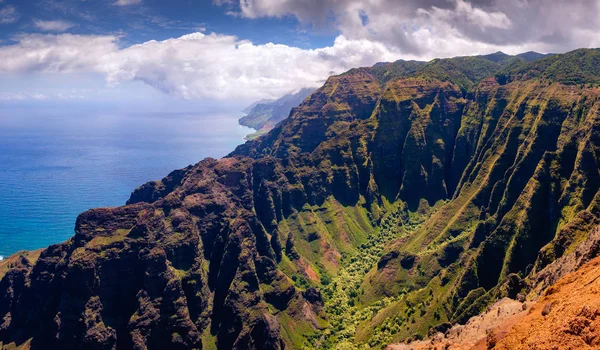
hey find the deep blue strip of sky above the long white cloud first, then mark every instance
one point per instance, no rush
(159, 20)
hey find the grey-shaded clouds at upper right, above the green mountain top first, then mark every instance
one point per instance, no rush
(417, 27)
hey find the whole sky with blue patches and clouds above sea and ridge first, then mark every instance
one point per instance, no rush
(207, 52)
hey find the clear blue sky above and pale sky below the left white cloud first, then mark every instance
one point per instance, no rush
(132, 24)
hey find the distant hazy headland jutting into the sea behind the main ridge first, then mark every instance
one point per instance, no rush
(263, 115)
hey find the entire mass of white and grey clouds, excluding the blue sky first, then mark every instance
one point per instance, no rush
(217, 66)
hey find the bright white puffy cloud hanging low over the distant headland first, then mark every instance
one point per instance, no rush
(221, 66)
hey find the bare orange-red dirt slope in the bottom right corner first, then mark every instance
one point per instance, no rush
(567, 316)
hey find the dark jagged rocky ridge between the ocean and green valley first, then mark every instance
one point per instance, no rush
(163, 274)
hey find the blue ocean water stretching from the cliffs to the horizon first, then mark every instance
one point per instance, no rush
(56, 164)
